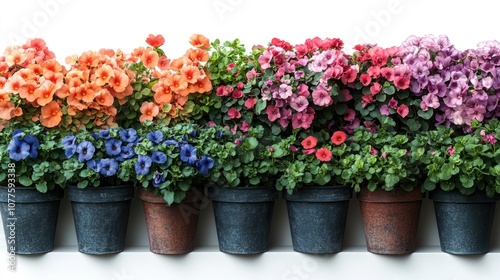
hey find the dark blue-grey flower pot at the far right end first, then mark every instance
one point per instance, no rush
(464, 221)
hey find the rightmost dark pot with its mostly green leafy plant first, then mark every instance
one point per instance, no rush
(461, 171)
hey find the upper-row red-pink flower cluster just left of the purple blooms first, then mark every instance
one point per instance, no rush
(384, 96)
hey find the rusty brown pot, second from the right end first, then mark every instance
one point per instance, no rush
(390, 220)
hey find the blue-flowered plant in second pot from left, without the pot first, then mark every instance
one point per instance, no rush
(98, 158)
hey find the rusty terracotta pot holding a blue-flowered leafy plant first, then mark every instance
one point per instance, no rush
(170, 170)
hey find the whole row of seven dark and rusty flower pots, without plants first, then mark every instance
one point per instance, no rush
(243, 218)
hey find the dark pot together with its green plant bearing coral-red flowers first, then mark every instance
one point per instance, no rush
(311, 188)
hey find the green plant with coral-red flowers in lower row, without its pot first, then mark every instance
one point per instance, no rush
(311, 161)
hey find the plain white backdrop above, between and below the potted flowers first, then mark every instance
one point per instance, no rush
(71, 27)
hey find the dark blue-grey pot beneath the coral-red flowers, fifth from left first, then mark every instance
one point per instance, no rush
(317, 217)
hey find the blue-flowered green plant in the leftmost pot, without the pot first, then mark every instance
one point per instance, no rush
(34, 154)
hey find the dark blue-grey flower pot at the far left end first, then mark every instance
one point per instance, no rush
(29, 219)
